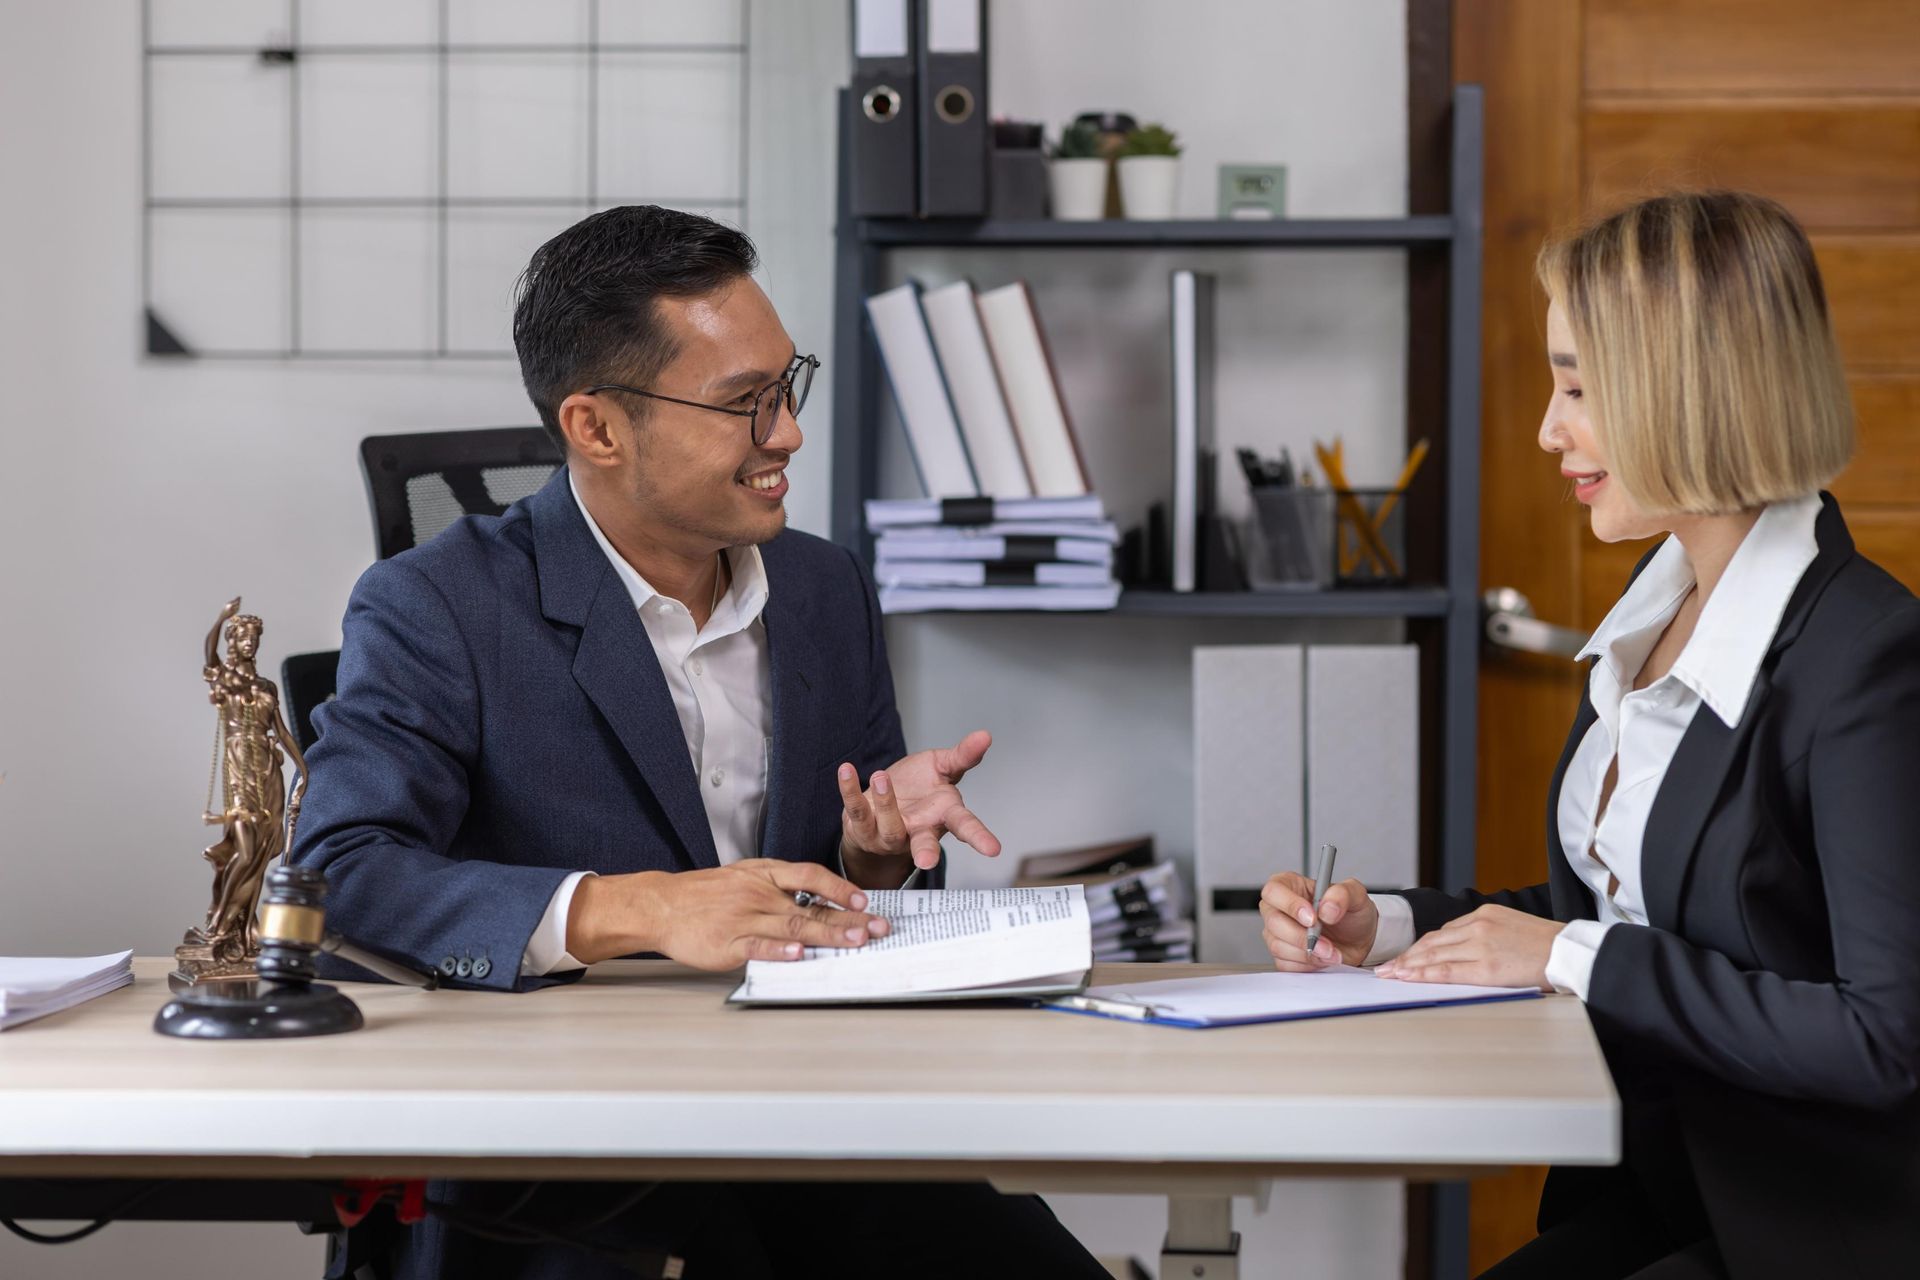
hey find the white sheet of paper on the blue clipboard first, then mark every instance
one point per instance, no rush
(1264, 997)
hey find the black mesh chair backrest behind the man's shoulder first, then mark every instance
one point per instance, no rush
(423, 483)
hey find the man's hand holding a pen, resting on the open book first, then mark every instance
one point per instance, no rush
(719, 918)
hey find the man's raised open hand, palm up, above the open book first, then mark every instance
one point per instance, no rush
(907, 811)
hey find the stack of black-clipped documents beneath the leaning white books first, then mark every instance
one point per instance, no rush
(994, 554)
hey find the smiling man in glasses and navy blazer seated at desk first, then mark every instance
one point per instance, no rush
(633, 715)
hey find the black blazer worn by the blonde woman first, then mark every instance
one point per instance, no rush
(1765, 1028)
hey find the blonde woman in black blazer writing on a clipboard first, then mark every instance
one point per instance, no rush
(1735, 824)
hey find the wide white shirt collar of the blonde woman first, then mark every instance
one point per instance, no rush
(1739, 623)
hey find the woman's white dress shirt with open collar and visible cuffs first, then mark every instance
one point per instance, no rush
(1641, 730)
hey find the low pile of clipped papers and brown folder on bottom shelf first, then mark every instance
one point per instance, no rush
(1138, 907)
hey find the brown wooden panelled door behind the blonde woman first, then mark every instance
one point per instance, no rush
(1589, 107)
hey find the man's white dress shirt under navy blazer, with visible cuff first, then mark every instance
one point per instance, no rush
(723, 690)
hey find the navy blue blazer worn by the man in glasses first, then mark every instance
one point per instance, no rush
(502, 723)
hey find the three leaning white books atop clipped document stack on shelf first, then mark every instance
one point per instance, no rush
(1009, 521)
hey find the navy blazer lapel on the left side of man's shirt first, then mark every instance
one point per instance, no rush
(615, 665)
